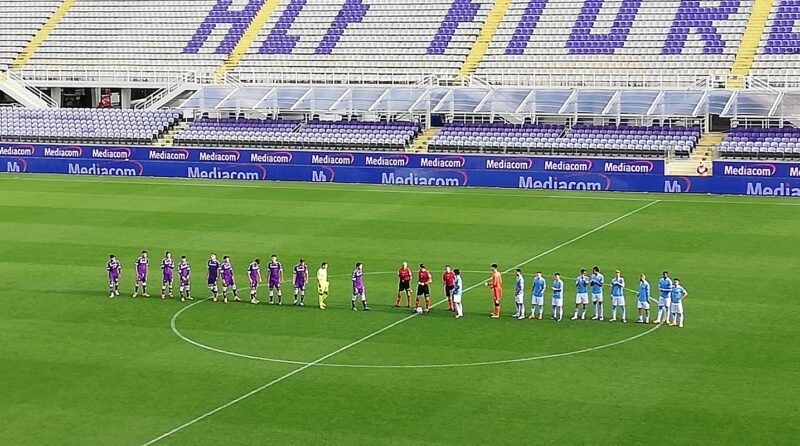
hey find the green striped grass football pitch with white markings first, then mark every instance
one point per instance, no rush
(80, 368)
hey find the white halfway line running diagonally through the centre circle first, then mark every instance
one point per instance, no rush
(375, 333)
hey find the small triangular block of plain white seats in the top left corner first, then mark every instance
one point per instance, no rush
(19, 22)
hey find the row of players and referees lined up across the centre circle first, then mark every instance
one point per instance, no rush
(670, 301)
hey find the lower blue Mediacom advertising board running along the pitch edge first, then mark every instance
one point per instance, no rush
(447, 177)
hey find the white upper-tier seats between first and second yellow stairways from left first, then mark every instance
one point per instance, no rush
(135, 34)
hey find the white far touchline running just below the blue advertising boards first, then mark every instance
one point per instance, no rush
(390, 189)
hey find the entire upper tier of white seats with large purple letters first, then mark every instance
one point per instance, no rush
(314, 40)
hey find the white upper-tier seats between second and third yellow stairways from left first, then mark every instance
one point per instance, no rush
(392, 39)
